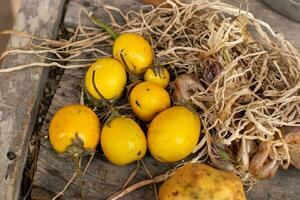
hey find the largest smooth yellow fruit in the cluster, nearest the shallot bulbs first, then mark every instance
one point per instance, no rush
(173, 134)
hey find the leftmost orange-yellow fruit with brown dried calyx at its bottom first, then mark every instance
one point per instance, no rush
(71, 123)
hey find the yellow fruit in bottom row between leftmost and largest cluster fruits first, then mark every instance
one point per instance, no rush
(123, 141)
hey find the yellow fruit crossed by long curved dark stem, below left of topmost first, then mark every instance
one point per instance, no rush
(110, 78)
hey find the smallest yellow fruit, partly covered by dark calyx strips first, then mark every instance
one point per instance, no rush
(157, 75)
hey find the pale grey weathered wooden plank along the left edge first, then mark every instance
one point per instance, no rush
(21, 91)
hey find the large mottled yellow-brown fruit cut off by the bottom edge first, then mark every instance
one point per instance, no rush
(199, 181)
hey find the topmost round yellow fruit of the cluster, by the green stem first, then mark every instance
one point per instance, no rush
(137, 52)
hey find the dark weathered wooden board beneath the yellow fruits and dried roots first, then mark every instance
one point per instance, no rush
(102, 178)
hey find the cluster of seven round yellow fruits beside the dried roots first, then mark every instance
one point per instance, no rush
(172, 134)
